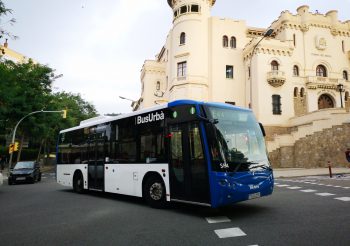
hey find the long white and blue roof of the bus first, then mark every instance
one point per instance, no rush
(104, 119)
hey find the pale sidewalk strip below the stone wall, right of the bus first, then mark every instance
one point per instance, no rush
(300, 172)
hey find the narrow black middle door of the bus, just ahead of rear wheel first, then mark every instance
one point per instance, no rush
(96, 165)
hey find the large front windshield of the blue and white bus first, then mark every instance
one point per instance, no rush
(236, 141)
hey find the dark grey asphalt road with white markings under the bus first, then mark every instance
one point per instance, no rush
(302, 211)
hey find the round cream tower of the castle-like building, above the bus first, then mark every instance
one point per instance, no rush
(188, 67)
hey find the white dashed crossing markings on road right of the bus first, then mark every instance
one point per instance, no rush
(317, 192)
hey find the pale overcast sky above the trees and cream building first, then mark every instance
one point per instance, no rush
(99, 46)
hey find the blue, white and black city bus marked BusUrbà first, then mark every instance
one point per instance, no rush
(204, 153)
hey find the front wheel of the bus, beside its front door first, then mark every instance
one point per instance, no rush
(154, 192)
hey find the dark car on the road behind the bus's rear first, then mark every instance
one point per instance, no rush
(25, 171)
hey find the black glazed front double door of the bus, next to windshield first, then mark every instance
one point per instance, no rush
(188, 169)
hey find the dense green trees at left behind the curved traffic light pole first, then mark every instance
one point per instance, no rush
(27, 87)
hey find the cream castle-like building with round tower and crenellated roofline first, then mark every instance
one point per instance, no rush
(294, 74)
